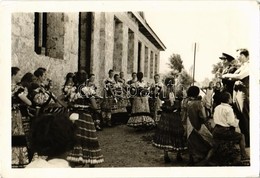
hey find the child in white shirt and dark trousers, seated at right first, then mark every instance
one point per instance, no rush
(226, 122)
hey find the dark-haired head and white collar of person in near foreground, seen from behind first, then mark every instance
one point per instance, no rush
(53, 135)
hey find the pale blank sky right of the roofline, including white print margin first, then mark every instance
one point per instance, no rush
(215, 27)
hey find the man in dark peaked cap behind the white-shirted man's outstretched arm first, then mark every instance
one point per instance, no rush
(229, 67)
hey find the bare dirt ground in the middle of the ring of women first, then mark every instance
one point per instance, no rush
(123, 146)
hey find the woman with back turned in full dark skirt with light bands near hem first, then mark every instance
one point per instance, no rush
(169, 134)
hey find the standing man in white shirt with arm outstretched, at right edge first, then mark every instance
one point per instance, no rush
(241, 93)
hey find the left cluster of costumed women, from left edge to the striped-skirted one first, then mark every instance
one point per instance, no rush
(32, 97)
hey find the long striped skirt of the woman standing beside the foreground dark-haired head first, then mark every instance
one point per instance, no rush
(87, 149)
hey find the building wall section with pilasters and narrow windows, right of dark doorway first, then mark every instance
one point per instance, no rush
(110, 50)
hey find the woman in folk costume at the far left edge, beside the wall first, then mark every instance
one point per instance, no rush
(20, 155)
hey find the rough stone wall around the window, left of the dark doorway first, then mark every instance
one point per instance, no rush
(24, 57)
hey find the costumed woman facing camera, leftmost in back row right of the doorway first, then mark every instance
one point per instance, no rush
(108, 100)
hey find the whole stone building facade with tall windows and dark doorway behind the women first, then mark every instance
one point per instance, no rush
(93, 41)
